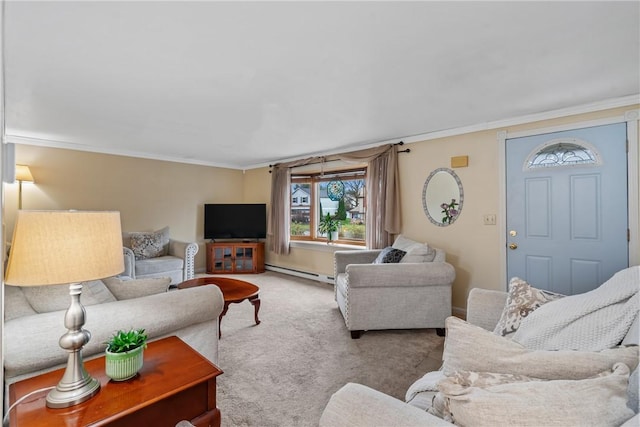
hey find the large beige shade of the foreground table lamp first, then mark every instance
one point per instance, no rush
(58, 247)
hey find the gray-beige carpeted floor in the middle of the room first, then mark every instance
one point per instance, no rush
(283, 371)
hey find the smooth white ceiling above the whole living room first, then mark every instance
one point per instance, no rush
(245, 84)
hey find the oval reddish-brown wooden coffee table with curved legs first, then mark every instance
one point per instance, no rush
(233, 291)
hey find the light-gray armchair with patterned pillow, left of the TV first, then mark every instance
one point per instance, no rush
(155, 254)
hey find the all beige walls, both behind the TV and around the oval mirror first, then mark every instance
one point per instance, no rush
(151, 194)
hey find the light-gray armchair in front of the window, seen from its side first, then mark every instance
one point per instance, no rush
(412, 293)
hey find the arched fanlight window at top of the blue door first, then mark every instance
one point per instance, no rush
(562, 152)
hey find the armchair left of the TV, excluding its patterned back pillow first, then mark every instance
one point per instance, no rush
(178, 263)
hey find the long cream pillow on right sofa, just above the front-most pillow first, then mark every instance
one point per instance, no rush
(471, 348)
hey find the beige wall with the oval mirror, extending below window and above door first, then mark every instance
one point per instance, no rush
(473, 248)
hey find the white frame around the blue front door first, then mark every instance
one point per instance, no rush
(632, 119)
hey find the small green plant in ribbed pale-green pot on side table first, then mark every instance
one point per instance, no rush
(124, 354)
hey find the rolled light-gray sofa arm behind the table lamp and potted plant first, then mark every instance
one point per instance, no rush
(160, 315)
